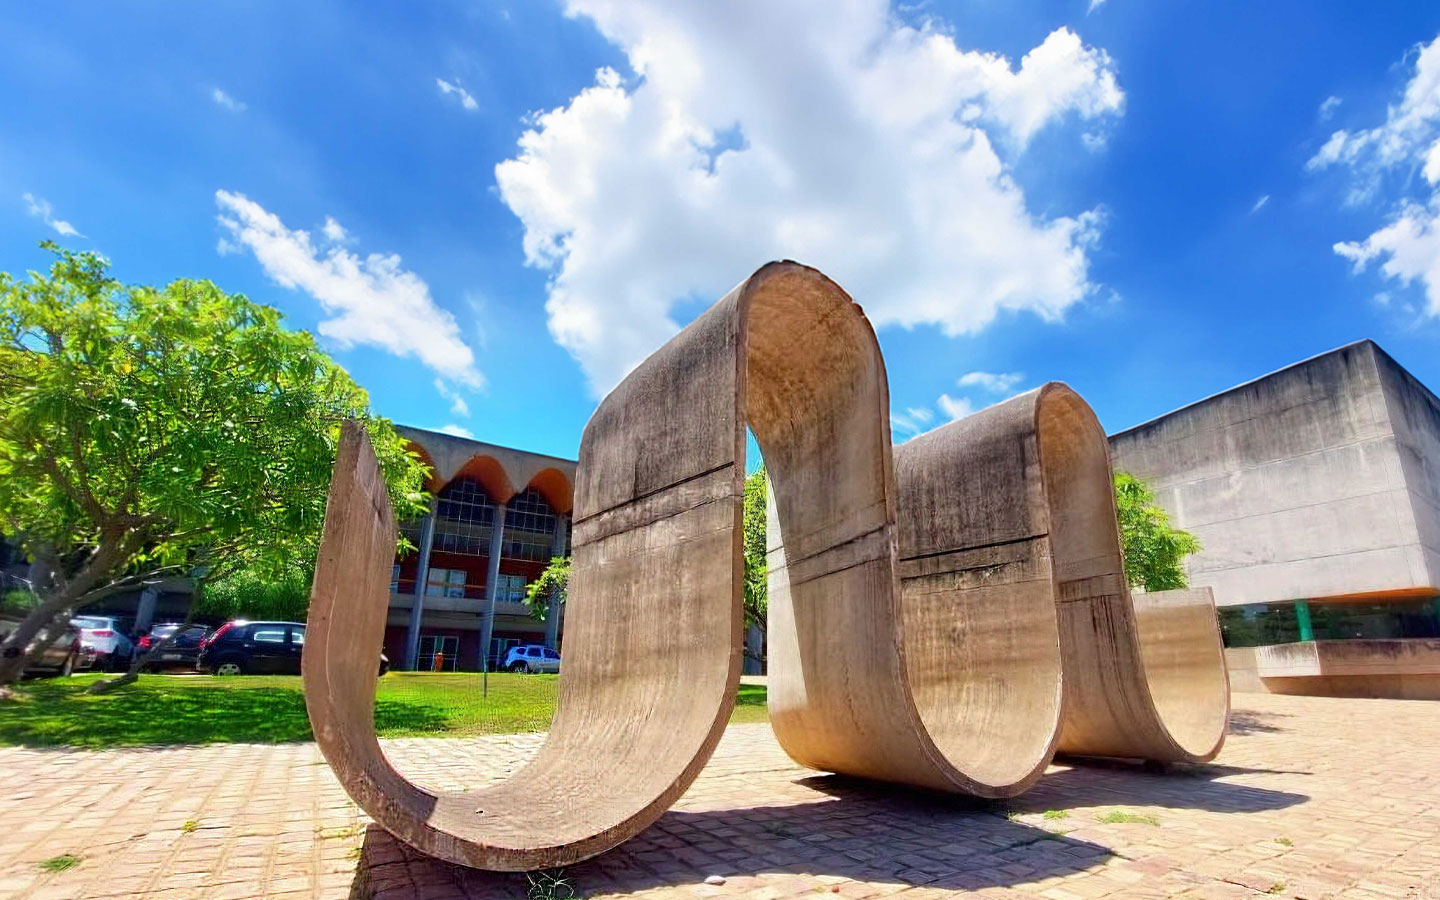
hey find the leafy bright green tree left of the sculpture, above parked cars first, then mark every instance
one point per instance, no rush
(149, 431)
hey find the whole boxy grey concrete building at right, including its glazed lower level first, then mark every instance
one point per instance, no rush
(1315, 493)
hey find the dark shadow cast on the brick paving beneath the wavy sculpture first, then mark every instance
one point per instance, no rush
(860, 833)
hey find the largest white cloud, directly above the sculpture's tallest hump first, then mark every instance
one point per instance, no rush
(824, 132)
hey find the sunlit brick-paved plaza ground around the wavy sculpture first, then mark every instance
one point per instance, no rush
(1311, 798)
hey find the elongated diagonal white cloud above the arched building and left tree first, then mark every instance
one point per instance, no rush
(372, 300)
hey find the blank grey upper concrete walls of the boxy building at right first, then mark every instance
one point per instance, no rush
(1314, 482)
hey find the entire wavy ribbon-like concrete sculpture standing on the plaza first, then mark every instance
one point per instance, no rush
(928, 653)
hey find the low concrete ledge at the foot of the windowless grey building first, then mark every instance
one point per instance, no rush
(1395, 669)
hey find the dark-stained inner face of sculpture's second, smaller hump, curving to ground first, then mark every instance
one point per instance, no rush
(978, 597)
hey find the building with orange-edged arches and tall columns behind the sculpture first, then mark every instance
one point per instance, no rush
(498, 518)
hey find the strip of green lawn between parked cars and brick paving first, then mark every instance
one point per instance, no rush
(271, 709)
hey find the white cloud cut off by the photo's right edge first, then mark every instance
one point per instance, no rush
(1408, 248)
